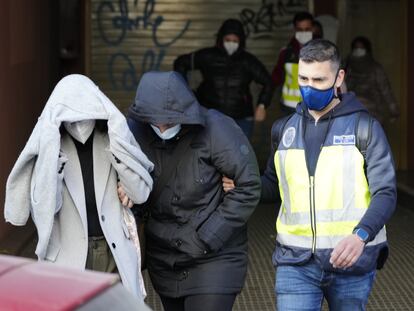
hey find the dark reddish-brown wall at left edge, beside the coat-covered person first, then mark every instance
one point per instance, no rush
(25, 77)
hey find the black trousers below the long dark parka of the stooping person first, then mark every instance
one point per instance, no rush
(199, 303)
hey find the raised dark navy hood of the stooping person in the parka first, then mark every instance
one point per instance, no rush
(165, 98)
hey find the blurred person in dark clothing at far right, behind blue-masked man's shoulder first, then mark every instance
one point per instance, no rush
(368, 80)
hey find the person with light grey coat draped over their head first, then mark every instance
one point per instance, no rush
(48, 181)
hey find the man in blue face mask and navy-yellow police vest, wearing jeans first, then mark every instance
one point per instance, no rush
(335, 201)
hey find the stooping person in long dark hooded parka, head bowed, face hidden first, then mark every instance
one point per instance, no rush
(196, 248)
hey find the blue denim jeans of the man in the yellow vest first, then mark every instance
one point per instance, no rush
(304, 288)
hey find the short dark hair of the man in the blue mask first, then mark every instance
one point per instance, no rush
(320, 50)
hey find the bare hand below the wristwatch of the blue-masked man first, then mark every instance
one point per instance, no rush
(347, 252)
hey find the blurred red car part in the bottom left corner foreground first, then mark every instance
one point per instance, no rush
(26, 284)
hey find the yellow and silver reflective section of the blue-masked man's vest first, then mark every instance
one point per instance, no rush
(341, 197)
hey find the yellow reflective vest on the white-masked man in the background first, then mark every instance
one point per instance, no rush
(290, 92)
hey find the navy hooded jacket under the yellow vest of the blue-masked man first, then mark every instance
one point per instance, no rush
(380, 171)
